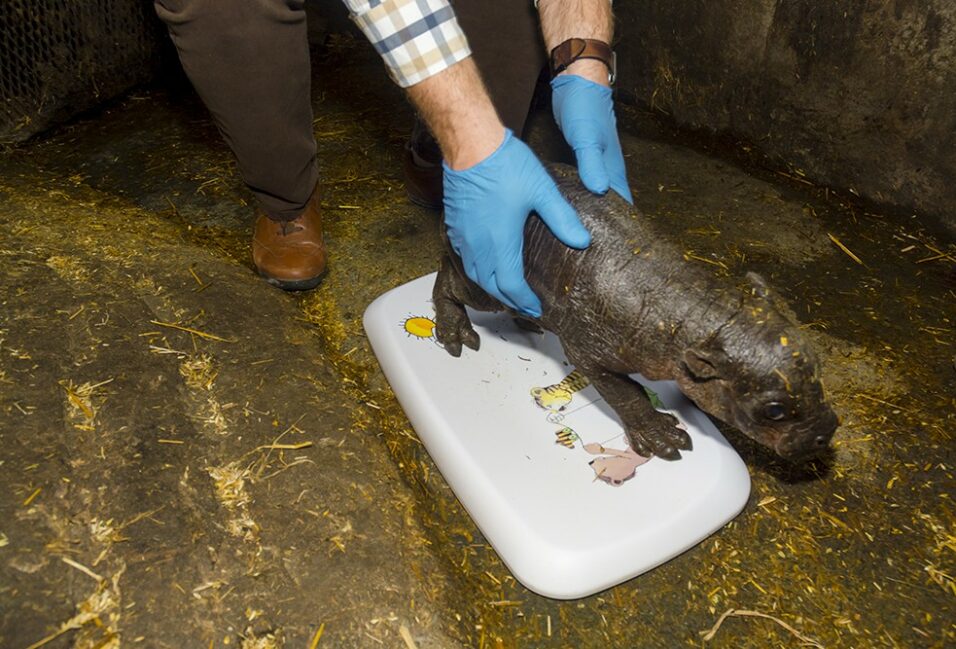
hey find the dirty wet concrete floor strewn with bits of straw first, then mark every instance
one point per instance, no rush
(148, 383)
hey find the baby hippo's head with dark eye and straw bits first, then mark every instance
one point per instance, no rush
(757, 373)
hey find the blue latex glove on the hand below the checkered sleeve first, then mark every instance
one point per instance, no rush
(486, 207)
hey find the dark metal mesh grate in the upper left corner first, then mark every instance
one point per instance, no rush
(61, 57)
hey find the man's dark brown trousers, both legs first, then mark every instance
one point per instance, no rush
(249, 62)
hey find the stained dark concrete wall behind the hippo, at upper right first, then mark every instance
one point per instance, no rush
(858, 94)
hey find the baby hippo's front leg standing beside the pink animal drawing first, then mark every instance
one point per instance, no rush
(650, 431)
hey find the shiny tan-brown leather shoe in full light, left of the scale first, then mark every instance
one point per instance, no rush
(291, 254)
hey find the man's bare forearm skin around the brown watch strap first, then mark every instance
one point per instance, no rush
(564, 19)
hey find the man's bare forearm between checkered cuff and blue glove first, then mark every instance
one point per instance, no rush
(460, 114)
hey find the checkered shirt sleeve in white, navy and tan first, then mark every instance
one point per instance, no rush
(416, 38)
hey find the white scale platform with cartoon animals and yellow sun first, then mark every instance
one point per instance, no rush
(539, 460)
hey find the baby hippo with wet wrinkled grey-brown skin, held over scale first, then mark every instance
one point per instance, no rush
(631, 303)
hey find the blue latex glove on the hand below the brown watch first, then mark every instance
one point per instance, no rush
(584, 111)
